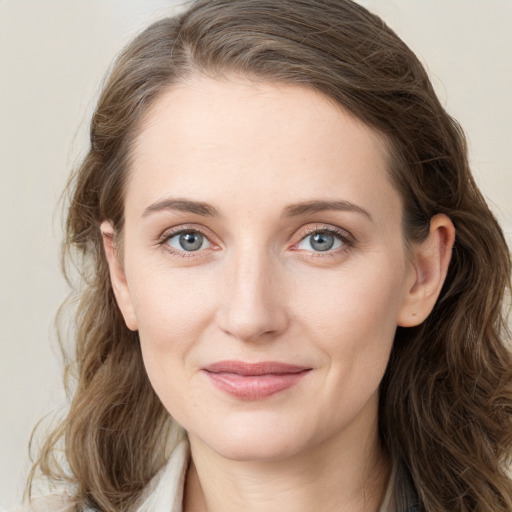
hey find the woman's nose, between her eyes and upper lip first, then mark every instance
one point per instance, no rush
(254, 307)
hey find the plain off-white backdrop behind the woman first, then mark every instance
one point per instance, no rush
(53, 55)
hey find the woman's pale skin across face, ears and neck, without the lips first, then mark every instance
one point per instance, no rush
(257, 287)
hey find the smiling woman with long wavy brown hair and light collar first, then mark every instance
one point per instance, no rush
(284, 251)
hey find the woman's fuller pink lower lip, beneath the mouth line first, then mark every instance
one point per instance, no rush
(254, 387)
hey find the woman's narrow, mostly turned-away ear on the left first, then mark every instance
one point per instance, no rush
(117, 276)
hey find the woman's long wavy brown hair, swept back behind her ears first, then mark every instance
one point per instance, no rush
(446, 399)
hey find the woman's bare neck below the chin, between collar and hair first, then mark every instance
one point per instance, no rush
(338, 474)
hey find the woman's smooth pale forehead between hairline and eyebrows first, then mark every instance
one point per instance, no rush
(237, 142)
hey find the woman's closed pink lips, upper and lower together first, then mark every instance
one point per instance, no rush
(254, 381)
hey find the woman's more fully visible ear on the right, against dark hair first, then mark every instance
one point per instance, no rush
(431, 259)
